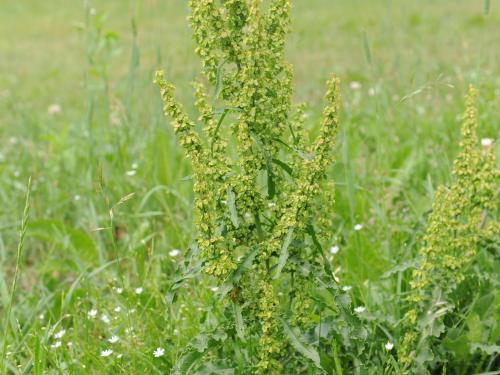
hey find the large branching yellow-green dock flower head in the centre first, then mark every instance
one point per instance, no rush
(256, 176)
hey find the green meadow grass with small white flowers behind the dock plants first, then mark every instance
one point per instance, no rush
(98, 262)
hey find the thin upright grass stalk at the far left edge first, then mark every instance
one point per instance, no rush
(20, 245)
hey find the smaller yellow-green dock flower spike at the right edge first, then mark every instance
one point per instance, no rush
(462, 218)
